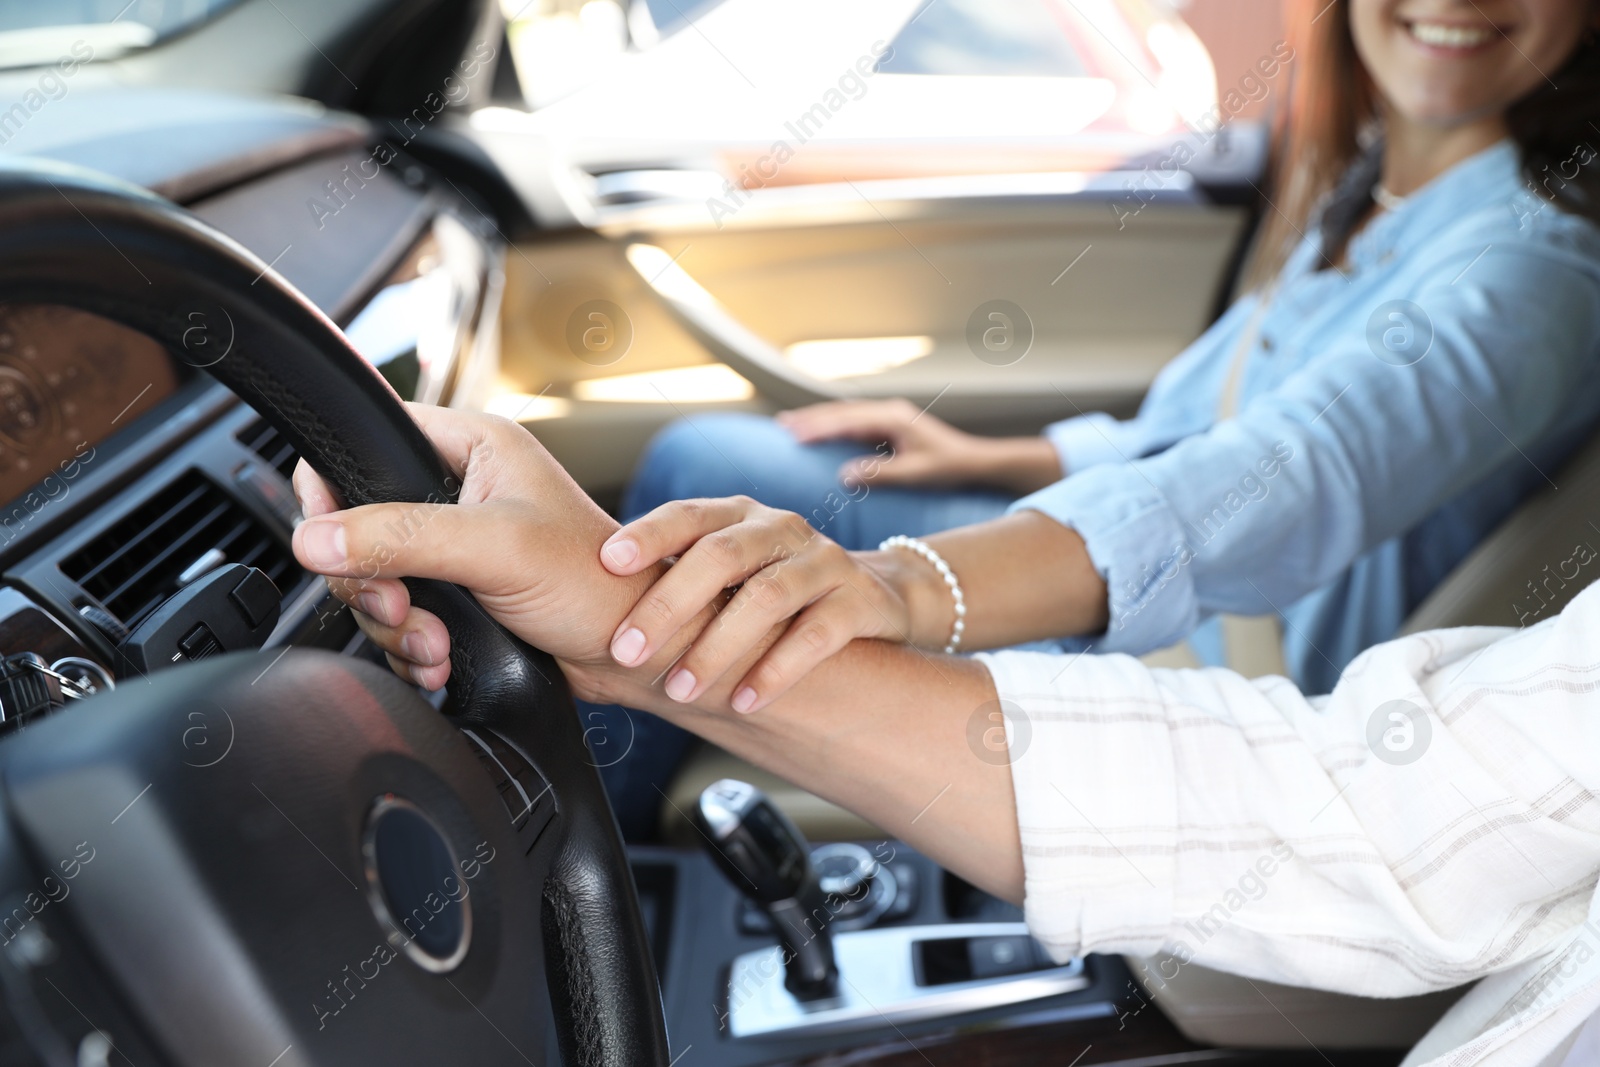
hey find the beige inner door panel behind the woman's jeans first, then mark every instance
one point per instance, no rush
(1110, 295)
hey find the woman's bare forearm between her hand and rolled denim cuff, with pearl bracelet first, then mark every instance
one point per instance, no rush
(1025, 578)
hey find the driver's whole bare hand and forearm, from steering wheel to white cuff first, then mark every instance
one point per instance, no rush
(878, 727)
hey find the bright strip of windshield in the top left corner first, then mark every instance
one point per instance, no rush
(39, 31)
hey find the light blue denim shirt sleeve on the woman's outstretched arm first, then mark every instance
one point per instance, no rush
(1265, 508)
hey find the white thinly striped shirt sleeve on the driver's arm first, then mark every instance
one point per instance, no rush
(1430, 823)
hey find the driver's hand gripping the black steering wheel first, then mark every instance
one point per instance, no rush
(524, 538)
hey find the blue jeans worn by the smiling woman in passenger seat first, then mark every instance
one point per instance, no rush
(730, 455)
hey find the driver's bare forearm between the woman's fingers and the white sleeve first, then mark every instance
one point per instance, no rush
(903, 738)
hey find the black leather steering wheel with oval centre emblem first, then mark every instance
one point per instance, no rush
(356, 879)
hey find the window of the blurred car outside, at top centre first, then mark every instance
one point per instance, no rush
(1012, 38)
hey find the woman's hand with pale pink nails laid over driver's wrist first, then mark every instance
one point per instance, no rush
(782, 572)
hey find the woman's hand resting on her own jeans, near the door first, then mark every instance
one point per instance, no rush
(926, 449)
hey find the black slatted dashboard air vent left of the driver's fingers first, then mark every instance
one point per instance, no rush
(135, 565)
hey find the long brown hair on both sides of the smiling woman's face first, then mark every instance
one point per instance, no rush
(1334, 102)
